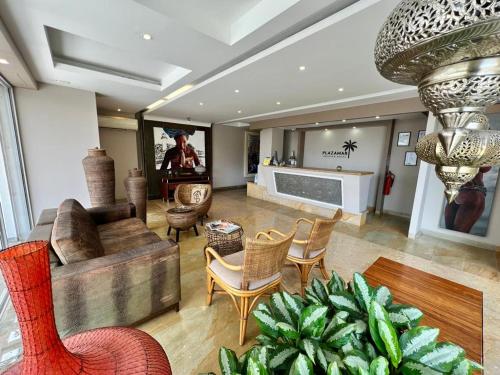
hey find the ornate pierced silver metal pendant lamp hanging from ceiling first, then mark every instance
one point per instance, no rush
(451, 50)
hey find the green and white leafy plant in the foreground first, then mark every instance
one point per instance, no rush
(341, 328)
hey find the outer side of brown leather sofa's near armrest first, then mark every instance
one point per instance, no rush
(119, 289)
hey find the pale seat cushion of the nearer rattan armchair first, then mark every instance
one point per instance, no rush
(233, 278)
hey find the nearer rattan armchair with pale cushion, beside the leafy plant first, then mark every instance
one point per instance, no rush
(248, 274)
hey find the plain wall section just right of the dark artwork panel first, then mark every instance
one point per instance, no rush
(227, 154)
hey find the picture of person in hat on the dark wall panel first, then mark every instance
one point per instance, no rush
(176, 148)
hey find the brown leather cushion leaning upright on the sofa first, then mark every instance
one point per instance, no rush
(75, 236)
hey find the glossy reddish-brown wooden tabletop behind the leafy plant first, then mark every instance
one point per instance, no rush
(455, 309)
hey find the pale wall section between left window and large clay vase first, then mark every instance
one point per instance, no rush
(57, 126)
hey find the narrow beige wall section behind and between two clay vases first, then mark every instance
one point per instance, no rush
(121, 145)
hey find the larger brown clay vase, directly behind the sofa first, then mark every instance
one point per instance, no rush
(100, 175)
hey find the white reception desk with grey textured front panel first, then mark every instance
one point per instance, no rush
(315, 190)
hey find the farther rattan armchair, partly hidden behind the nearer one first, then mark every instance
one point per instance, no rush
(305, 254)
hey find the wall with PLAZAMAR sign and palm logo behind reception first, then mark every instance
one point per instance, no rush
(369, 156)
